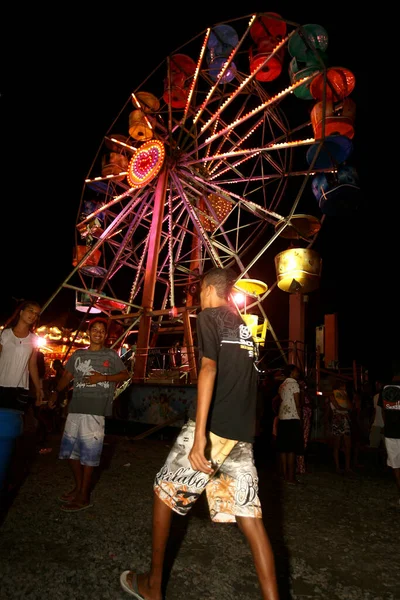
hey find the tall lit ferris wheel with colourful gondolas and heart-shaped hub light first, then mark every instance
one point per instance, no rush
(238, 139)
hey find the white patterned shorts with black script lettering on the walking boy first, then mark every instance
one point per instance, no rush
(231, 491)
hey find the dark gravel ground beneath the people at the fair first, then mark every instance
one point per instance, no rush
(334, 537)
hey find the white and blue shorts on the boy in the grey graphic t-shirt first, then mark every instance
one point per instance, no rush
(83, 439)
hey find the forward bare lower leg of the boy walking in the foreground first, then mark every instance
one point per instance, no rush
(263, 557)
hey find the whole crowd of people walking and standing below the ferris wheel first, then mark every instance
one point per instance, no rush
(213, 452)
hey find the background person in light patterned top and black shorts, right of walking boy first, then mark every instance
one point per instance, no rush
(289, 439)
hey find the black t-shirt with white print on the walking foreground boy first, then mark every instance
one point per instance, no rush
(225, 338)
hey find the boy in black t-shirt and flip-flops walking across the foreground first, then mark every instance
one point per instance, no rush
(214, 449)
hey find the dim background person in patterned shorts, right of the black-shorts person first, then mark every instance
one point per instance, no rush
(341, 431)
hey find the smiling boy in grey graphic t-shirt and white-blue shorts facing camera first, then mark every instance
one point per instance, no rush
(95, 372)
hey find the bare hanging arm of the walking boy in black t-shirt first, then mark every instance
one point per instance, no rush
(205, 388)
